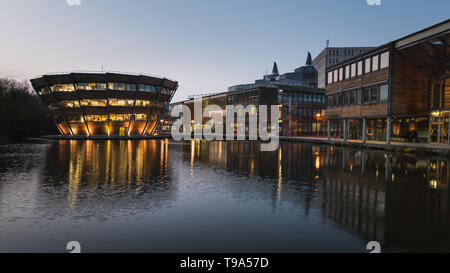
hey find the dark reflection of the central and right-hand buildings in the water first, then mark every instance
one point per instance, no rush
(396, 199)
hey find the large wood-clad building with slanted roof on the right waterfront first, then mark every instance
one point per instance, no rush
(399, 91)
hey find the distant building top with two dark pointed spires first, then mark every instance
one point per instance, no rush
(303, 76)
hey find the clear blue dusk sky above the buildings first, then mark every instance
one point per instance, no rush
(206, 45)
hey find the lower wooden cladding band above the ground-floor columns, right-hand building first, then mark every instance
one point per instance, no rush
(358, 111)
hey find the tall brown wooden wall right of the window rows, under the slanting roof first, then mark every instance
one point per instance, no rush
(409, 88)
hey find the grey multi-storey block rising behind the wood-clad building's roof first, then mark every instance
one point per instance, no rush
(333, 55)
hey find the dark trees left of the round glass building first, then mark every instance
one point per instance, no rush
(22, 114)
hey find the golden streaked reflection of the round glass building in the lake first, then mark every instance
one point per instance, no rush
(119, 166)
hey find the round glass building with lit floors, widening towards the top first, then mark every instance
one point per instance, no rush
(104, 103)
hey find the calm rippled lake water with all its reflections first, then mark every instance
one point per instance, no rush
(161, 196)
